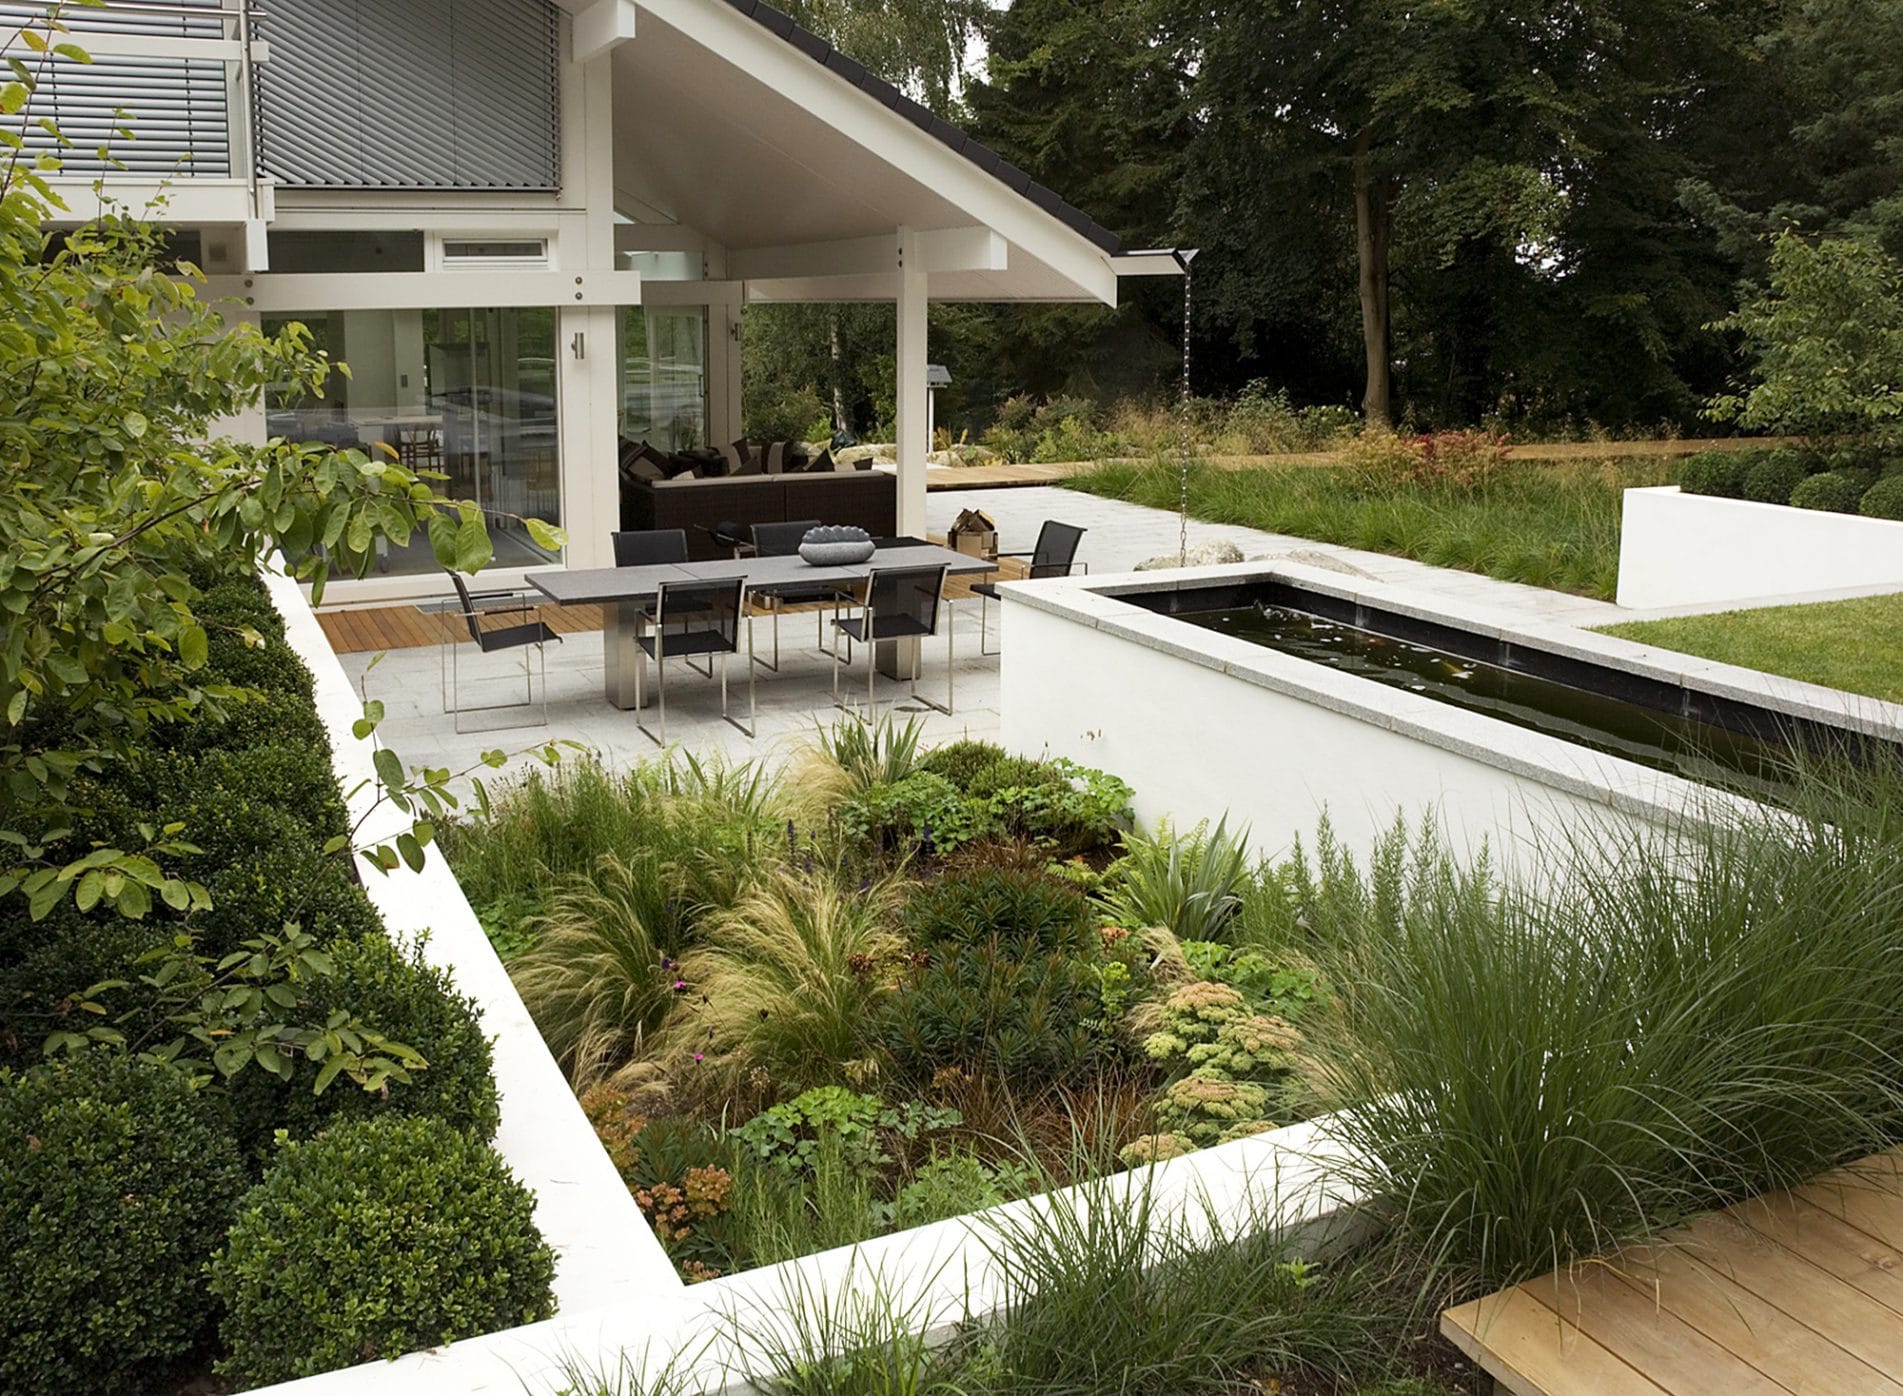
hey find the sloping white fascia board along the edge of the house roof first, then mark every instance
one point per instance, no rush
(888, 136)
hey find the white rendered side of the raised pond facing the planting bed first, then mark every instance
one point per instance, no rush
(1200, 743)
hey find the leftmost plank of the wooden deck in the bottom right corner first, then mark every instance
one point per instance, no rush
(1531, 1351)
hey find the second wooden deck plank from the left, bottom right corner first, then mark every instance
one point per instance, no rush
(1657, 1344)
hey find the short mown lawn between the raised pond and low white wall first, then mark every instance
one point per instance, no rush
(1853, 646)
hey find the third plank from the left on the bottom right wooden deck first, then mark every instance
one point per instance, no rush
(1746, 1325)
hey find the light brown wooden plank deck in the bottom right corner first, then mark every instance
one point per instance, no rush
(1794, 1292)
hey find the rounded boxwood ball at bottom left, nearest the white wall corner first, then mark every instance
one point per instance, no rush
(378, 1239)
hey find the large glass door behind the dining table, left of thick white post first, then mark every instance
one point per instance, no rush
(467, 395)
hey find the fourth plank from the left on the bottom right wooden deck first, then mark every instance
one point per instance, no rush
(1815, 1298)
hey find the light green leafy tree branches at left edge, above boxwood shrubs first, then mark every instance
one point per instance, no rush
(123, 497)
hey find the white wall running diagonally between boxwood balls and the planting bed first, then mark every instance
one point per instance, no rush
(604, 1247)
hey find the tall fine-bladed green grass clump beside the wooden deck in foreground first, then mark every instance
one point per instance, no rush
(1674, 1020)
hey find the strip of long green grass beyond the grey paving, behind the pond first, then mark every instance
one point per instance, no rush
(1544, 524)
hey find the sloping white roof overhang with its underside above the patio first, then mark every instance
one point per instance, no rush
(802, 168)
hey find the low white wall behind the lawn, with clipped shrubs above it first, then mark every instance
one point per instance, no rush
(1679, 551)
